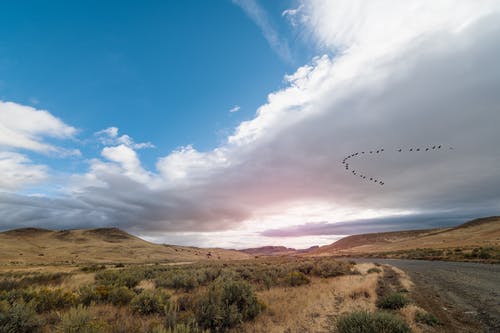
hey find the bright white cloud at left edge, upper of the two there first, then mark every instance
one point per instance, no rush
(24, 127)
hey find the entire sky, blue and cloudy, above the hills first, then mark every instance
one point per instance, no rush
(227, 123)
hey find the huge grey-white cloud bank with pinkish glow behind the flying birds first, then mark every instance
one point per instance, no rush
(427, 74)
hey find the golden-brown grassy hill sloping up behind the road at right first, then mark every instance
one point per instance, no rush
(482, 232)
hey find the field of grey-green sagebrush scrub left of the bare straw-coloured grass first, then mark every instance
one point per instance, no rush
(198, 297)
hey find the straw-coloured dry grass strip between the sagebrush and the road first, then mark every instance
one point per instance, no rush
(313, 308)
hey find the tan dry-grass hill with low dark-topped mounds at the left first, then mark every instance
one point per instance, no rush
(102, 245)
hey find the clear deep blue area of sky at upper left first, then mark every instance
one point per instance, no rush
(165, 72)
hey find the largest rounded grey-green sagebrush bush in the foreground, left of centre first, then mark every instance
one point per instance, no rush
(227, 304)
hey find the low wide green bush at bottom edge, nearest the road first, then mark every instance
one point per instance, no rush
(365, 322)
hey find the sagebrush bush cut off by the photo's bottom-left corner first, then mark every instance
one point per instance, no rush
(19, 318)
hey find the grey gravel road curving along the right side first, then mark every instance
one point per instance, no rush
(458, 293)
